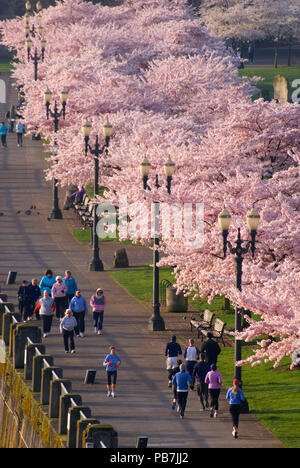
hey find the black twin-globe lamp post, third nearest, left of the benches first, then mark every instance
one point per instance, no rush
(96, 262)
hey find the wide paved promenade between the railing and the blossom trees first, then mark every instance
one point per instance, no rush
(29, 244)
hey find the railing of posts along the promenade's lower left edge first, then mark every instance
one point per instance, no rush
(27, 352)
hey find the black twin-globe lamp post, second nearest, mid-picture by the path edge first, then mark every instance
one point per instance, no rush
(156, 322)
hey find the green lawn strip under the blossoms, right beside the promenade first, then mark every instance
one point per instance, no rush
(273, 394)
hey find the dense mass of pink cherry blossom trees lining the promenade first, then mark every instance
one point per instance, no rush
(170, 89)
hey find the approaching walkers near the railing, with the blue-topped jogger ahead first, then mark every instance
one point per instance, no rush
(61, 296)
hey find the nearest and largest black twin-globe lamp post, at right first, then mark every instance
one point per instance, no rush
(224, 220)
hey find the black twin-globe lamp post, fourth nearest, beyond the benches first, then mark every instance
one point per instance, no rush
(55, 115)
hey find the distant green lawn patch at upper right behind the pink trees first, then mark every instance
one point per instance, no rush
(290, 73)
